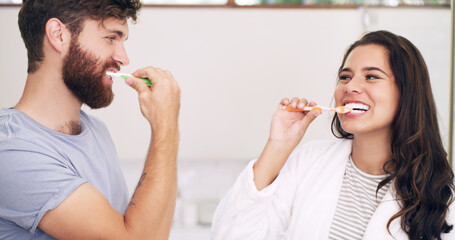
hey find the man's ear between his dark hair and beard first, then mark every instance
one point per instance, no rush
(57, 35)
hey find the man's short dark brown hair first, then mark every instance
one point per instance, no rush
(34, 15)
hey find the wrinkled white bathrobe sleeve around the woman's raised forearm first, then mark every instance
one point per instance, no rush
(246, 213)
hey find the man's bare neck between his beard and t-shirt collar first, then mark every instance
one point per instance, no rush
(47, 100)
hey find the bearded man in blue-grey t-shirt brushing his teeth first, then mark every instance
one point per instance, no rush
(59, 171)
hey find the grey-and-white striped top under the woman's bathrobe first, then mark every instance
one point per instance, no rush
(357, 203)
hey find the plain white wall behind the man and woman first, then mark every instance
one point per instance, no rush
(234, 65)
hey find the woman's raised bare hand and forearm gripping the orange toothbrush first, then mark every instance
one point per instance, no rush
(286, 132)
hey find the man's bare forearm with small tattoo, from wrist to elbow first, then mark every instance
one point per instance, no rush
(150, 213)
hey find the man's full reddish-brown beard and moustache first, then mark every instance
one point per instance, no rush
(83, 75)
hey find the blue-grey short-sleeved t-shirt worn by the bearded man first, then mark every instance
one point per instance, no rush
(40, 168)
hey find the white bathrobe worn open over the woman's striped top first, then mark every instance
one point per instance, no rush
(301, 202)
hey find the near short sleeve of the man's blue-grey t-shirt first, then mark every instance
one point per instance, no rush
(33, 181)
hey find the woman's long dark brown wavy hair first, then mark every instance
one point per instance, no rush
(421, 174)
